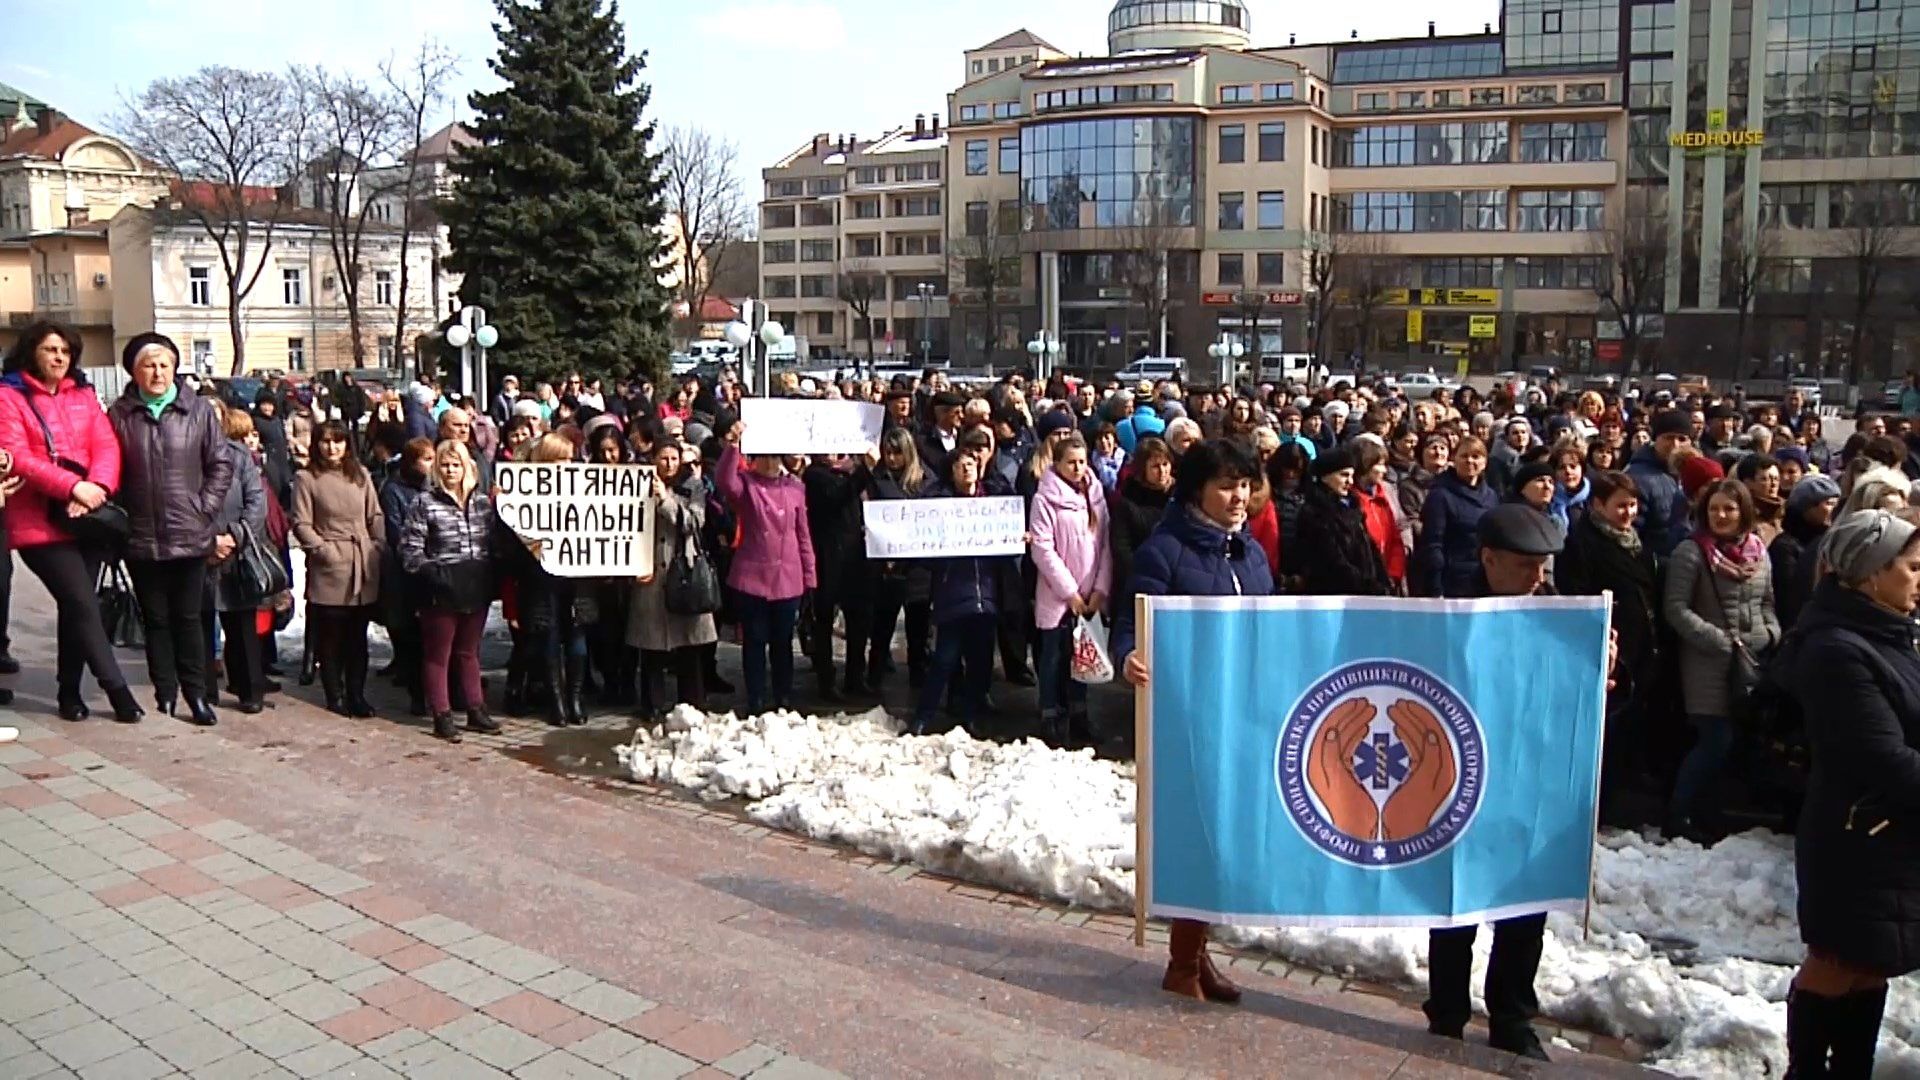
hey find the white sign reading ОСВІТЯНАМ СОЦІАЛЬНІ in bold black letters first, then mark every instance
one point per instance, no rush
(585, 522)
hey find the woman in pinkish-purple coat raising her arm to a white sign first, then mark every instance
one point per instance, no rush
(773, 566)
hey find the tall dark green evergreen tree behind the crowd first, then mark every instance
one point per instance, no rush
(556, 216)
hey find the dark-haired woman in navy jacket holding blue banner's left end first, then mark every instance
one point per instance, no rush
(1201, 549)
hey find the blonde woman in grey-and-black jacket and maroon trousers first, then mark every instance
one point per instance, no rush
(448, 545)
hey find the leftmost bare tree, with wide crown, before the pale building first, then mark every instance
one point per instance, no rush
(235, 139)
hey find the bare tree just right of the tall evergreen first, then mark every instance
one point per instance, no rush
(700, 178)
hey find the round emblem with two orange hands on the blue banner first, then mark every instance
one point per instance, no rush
(1381, 764)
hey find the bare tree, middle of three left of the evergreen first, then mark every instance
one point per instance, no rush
(360, 135)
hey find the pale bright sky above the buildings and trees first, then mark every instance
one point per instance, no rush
(767, 74)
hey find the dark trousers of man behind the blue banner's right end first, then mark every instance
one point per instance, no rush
(1510, 975)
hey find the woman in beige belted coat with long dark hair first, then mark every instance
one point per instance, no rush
(339, 526)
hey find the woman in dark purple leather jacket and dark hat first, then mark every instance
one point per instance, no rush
(176, 474)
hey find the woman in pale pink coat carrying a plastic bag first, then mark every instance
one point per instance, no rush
(1076, 572)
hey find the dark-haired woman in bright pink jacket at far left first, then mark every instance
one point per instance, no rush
(64, 447)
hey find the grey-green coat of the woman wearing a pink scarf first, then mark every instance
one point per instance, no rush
(1704, 608)
